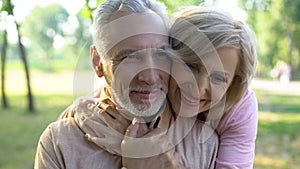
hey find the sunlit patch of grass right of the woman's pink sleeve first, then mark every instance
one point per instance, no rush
(278, 139)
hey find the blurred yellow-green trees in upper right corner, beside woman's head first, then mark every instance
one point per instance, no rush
(277, 26)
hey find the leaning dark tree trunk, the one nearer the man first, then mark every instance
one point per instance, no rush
(24, 60)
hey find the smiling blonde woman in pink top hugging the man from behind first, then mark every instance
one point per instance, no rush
(221, 53)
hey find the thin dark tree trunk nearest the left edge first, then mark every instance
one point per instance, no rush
(3, 61)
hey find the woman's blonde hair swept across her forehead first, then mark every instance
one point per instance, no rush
(199, 30)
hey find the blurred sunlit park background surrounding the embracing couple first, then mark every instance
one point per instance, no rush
(45, 60)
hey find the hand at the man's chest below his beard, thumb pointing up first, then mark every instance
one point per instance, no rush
(142, 148)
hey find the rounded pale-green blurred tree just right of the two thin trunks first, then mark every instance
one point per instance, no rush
(46, 36)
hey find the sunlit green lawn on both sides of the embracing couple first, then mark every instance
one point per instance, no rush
(277, 145)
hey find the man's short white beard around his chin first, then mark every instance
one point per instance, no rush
(144, 109)
